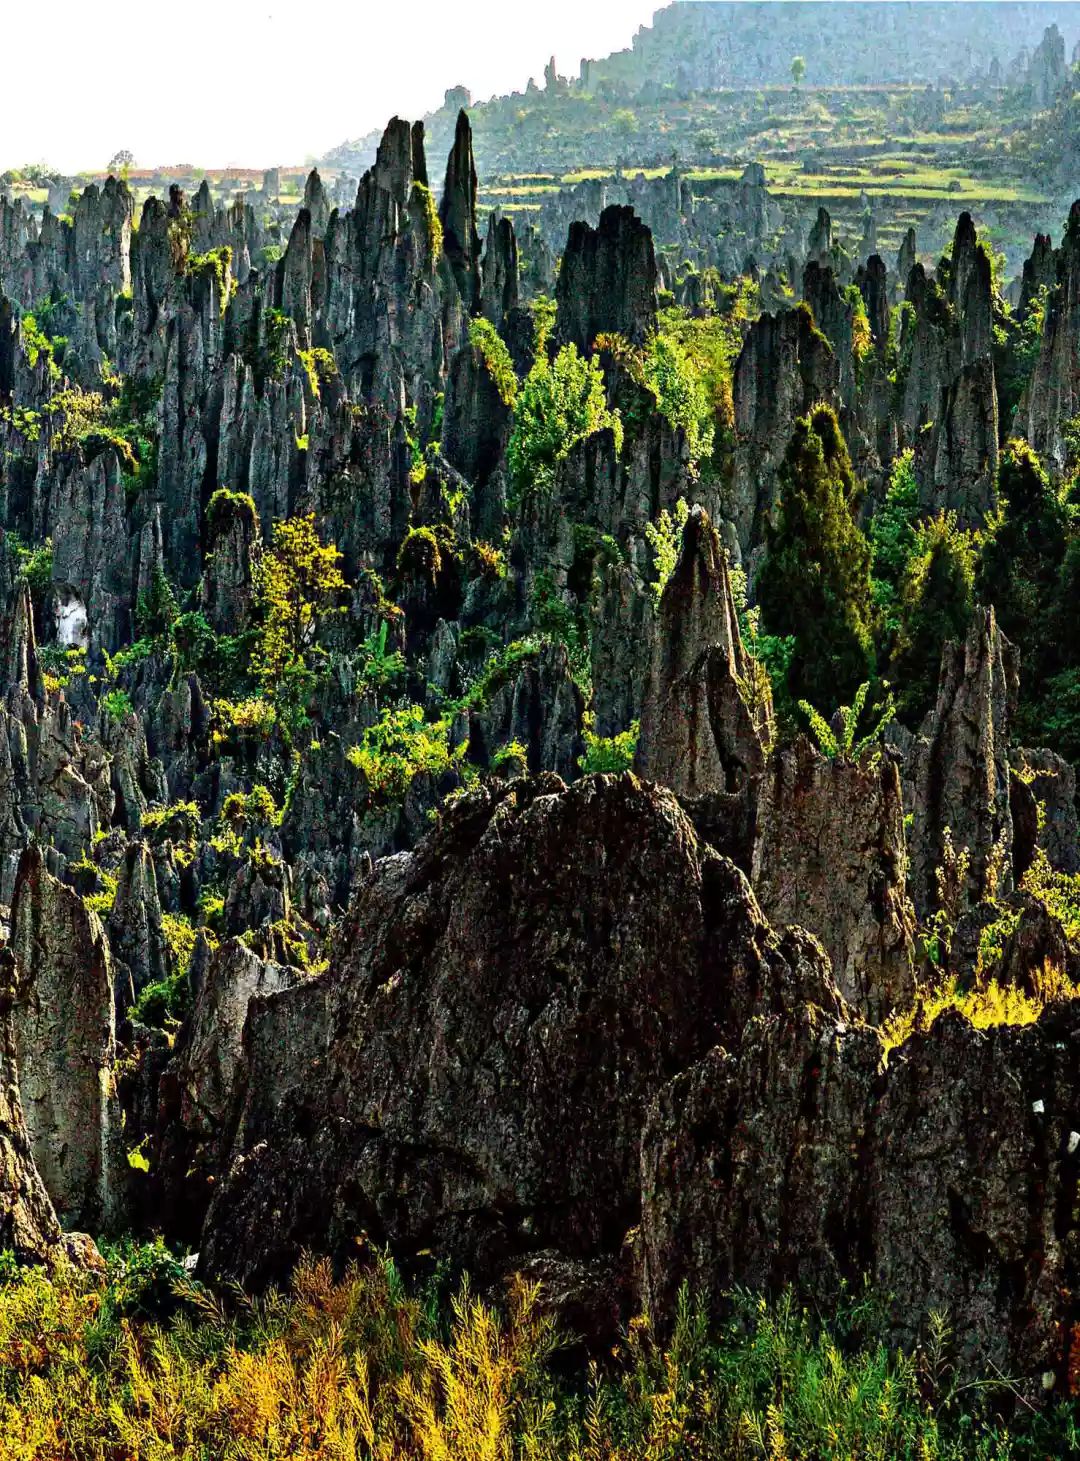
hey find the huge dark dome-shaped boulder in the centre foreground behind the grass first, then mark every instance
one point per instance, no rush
(498, 985)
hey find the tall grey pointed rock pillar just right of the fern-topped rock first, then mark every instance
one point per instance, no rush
(961, 768)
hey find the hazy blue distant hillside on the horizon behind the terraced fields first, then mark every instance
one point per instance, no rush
(711, 46)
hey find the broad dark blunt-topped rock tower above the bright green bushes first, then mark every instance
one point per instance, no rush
(607, 283)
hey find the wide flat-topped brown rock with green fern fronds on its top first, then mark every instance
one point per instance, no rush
(831, 857)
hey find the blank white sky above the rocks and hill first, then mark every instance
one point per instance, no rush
(259, 83)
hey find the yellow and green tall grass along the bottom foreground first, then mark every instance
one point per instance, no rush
(150, 1367)
